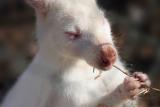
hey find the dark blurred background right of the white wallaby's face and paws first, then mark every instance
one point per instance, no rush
(136, 27)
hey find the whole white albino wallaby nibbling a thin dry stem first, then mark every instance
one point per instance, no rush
(73, 37)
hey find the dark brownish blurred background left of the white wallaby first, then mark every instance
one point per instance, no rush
(17, 44)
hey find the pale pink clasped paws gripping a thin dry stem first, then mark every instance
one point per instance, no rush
(135, 85)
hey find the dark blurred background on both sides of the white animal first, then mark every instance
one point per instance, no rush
(136, 29)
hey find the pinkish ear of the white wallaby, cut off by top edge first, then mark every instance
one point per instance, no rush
(38, 5)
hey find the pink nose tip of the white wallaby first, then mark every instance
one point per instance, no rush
(108, 56)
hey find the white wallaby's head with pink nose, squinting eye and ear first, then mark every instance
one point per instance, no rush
(75, 29)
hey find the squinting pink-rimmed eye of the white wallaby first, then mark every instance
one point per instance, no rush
(73, 35)
